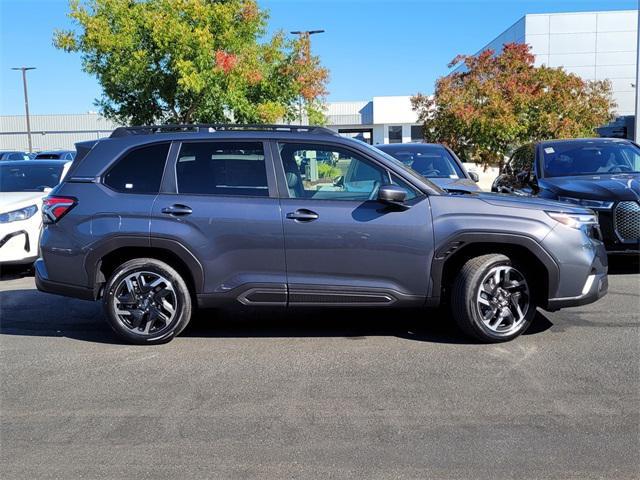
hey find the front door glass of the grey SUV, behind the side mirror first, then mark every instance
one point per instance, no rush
(330, 173)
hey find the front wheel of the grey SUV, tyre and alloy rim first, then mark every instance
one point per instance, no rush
(491, 299)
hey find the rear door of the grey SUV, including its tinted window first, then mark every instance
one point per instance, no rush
(219, 202)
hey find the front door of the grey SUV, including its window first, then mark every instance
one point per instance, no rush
(343, 246)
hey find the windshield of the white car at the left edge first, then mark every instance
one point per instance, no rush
(29, 178)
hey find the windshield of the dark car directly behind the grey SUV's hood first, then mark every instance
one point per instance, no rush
(431, 161)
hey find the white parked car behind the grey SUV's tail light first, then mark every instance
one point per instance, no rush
(23, 185)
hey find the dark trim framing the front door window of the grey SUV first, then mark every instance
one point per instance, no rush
(281, 177)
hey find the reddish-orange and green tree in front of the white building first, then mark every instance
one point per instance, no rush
(498, 102)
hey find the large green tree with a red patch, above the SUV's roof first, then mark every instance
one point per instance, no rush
(192, 61)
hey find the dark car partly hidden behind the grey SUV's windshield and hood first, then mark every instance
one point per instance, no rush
(435, 162)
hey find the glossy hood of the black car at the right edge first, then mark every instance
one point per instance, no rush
(613, 187)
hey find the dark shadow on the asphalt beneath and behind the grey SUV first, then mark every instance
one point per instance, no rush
(33, 313)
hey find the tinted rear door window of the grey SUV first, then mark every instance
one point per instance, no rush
(222, 168)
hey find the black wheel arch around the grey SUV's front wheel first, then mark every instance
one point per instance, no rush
(454, 252)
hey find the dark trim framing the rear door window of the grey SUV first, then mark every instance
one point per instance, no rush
(268, 163)
